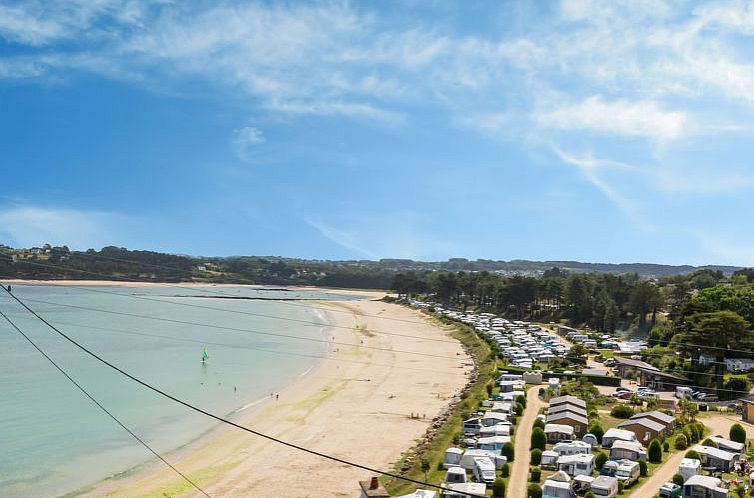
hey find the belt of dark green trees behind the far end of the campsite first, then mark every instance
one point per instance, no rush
(604, 302)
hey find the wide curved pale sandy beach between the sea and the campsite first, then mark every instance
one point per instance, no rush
(357, 406)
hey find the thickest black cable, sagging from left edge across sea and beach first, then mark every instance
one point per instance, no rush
(219, 418)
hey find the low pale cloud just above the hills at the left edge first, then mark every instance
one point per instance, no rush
(29, 226)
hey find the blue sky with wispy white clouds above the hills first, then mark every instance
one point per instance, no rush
(574, 130)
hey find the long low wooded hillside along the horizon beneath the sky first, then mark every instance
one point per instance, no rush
(48, 262)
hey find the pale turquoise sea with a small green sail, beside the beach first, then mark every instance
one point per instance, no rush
(56, 442)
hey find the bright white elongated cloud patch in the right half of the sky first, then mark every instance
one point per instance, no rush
(643, 119)
